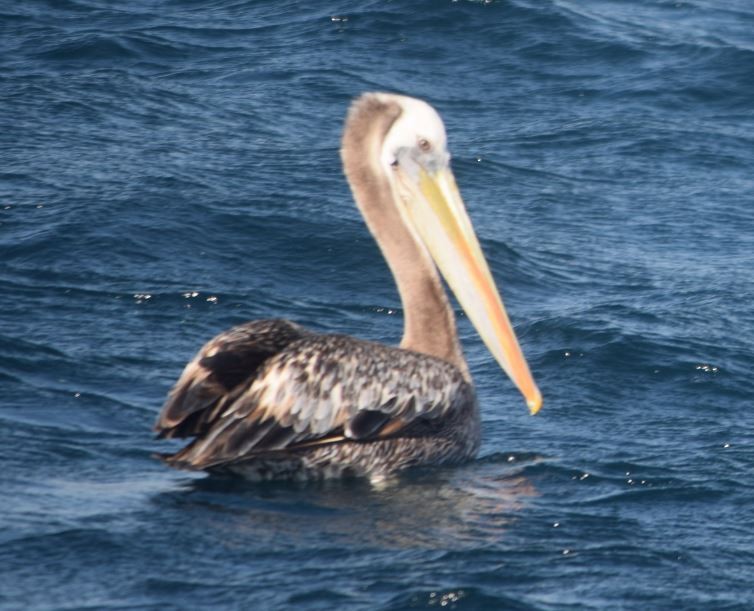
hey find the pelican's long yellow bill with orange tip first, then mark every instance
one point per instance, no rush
(439, 217)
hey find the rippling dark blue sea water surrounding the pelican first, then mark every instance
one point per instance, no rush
(170, 168)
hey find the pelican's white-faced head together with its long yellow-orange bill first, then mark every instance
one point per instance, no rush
(415, 159)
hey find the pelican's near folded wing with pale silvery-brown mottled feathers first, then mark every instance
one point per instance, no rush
(325, 389)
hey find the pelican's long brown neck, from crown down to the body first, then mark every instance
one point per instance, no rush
(430, 325)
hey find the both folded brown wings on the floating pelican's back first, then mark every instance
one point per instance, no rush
(286, 390)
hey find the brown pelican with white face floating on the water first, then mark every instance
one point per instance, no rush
(269, 399)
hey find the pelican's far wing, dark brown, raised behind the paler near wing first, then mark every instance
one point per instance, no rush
(221, 370)
